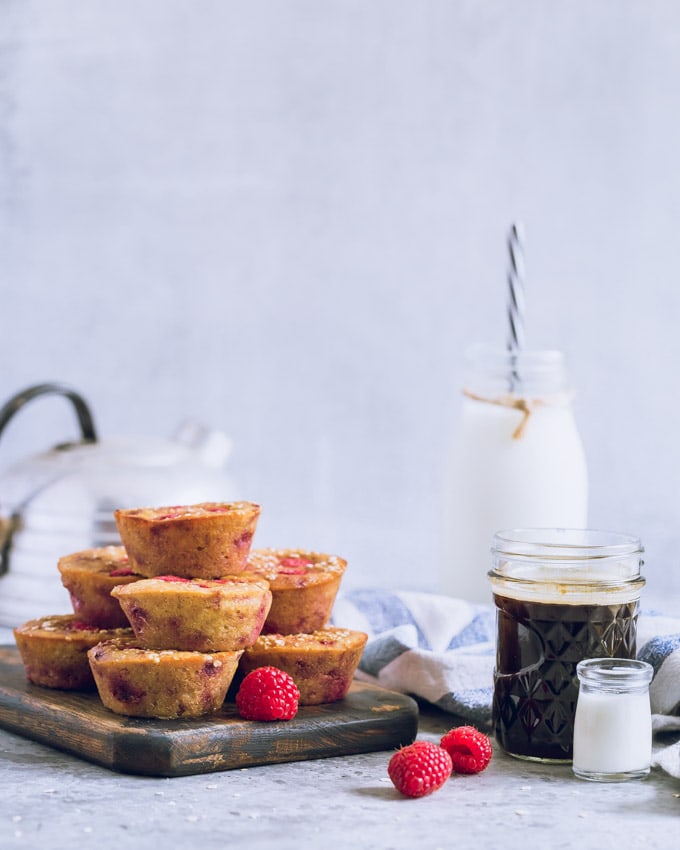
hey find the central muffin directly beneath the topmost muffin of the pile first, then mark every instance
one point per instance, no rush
(169, 612)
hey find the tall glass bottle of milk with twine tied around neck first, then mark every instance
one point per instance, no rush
(516, 460)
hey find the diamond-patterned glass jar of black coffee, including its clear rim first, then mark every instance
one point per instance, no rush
(561, 596)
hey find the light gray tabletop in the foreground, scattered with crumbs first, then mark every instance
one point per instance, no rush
(51, 799)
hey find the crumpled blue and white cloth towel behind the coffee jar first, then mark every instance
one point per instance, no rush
(442, 650)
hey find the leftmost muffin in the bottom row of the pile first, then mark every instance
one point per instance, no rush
(54, 650)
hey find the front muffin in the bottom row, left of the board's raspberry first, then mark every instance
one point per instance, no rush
(163, 683)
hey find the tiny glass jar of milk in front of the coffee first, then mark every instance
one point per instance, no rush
(613, 724)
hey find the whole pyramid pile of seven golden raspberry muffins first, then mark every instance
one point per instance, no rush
(164, 624)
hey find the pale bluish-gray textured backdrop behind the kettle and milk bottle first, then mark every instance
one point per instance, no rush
(288, 219)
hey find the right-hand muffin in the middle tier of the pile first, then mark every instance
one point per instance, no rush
(303, 585)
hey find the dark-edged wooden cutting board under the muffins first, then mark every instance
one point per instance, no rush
(369, 719)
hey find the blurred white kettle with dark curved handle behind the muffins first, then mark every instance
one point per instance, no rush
(62, 500)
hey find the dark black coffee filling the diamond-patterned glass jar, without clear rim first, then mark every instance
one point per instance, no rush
(535, 683)
